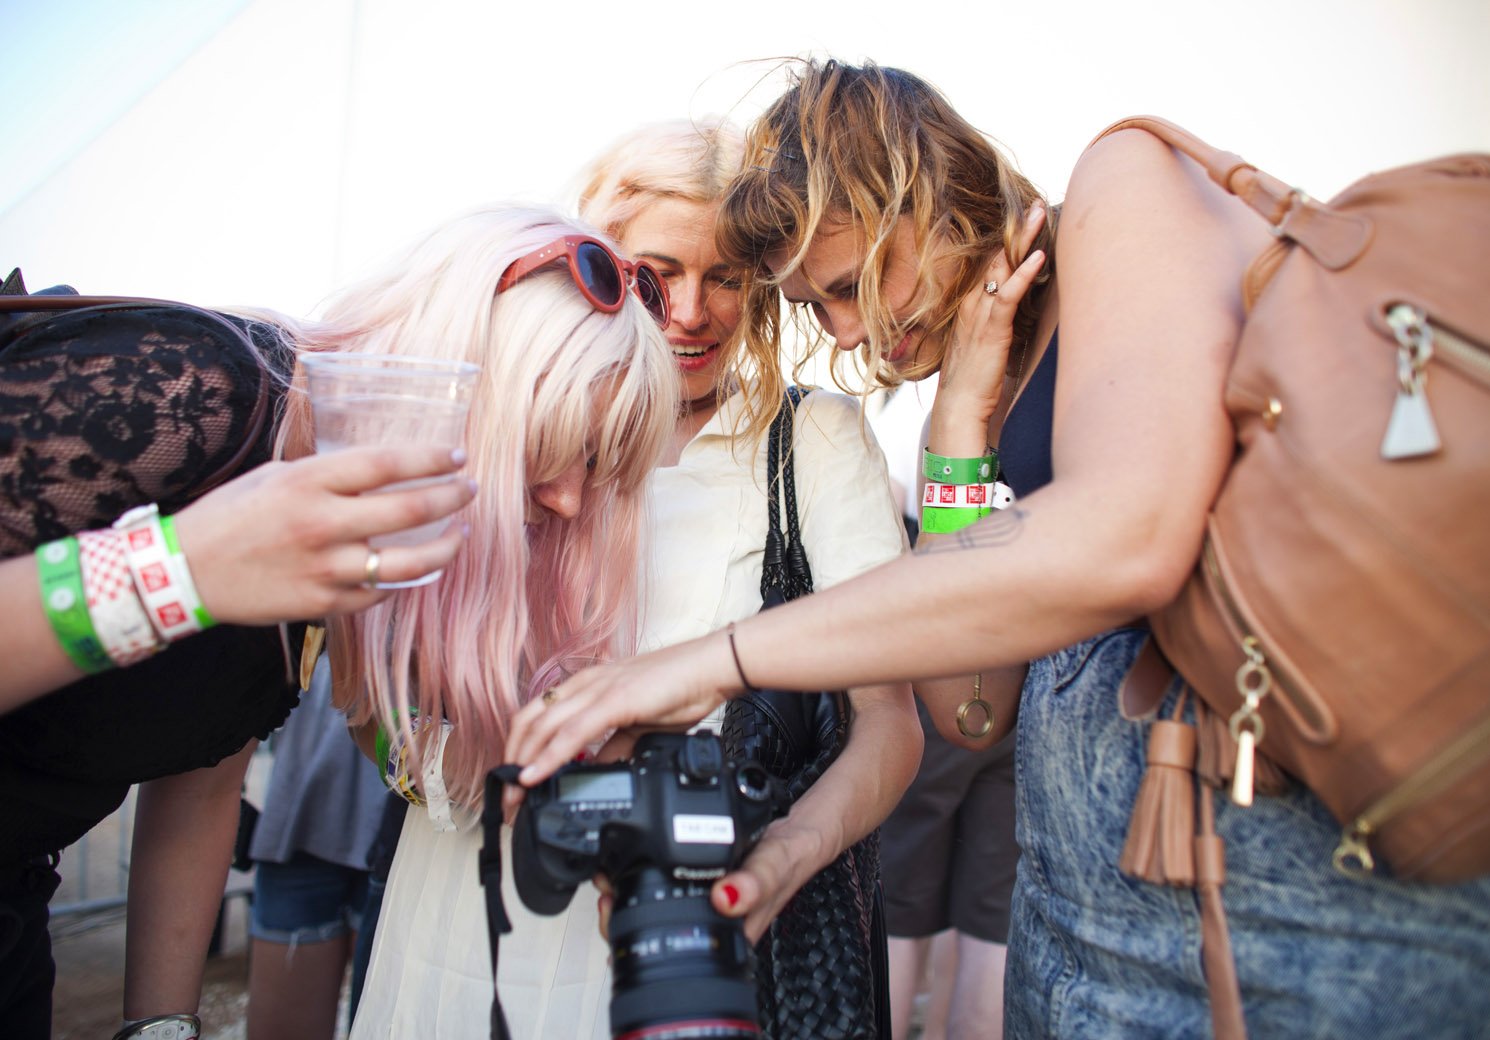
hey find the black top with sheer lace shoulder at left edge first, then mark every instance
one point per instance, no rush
(101, 410)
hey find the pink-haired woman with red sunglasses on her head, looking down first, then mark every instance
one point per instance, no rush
(571, 412)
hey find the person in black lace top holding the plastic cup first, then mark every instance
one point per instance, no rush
(110, 409)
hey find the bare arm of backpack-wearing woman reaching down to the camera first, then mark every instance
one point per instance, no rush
(1151, 261)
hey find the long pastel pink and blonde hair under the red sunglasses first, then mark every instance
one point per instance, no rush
(521, 607)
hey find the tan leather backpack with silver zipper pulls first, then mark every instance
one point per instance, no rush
(1340, 615)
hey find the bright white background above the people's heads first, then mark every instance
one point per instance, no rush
(266, 151)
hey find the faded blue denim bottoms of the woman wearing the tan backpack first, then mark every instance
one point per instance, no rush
(1097, 954)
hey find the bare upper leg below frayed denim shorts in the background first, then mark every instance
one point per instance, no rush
(294, 992)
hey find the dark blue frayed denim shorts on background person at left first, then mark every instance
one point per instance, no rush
(306, 901)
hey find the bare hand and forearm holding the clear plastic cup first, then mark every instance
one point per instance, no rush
(284, 542)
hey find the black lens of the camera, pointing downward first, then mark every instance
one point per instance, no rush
(680, 969)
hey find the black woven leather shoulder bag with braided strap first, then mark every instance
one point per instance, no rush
(822, 968)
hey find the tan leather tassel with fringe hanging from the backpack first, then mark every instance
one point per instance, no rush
(1161, 835)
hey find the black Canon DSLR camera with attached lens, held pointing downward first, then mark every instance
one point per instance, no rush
(662, 828)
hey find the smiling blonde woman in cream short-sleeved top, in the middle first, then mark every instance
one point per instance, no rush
(659, 191)
